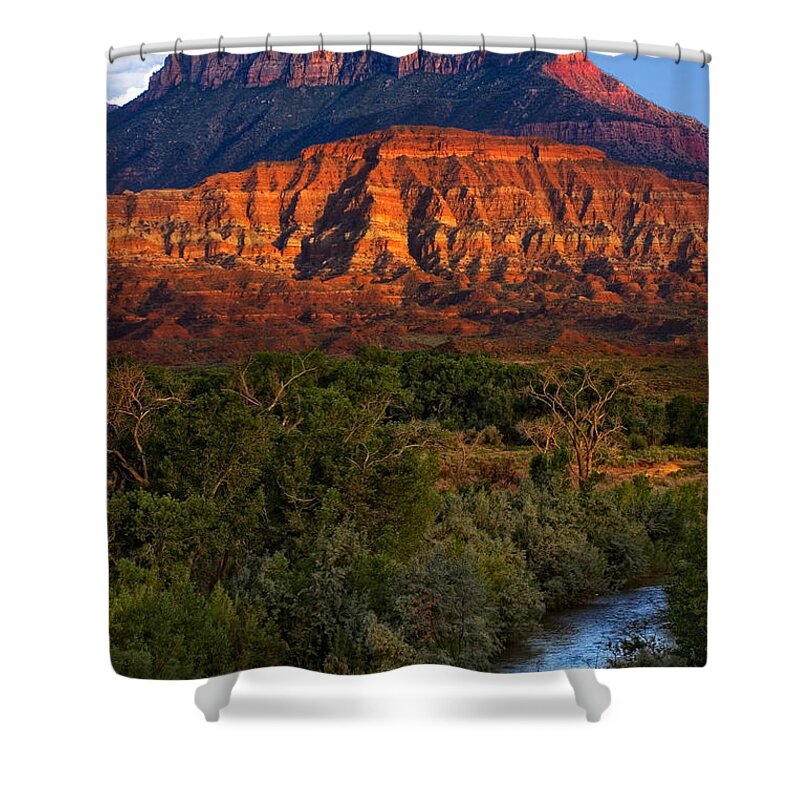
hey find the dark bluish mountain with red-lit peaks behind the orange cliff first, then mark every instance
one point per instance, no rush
(208, 114)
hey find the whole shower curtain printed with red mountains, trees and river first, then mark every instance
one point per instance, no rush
(407, 362)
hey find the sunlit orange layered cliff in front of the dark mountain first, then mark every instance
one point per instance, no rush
(409, 237)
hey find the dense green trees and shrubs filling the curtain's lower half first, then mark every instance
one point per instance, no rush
(291, 511)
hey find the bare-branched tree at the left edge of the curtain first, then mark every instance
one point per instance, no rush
(132, 400)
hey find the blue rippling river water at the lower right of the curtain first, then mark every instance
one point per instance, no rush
(578, 637)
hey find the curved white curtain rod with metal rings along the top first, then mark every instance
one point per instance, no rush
(422, 41)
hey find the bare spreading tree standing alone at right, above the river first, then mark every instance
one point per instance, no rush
(581, 403)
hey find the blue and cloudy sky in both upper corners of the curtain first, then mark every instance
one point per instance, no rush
(679, 87)
